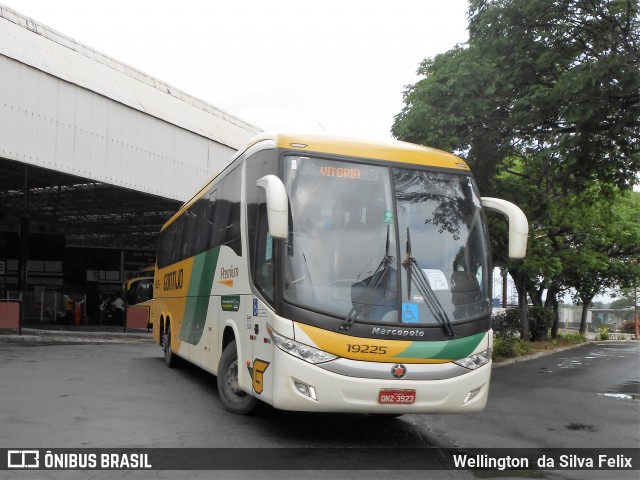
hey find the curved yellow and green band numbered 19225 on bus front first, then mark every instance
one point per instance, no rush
(405, 351)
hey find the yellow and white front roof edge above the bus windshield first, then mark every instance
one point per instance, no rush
(391, 150)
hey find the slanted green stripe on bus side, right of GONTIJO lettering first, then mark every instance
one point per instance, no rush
(195, 312)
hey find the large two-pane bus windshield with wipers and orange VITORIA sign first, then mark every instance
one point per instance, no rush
(378, 244)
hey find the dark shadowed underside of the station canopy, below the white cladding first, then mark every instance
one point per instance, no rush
(88, 213)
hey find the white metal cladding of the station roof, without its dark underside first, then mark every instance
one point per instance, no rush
(68, 108)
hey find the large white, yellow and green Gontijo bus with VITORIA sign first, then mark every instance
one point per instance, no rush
(325, 274)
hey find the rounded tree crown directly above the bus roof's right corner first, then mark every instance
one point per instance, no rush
(457, 107)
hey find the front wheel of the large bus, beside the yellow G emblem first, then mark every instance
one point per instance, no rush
(232, 397)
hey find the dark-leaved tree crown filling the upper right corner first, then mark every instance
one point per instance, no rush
(571, 82)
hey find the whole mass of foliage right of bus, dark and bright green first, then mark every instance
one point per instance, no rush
(544, 104)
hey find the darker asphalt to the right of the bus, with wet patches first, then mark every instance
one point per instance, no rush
(587, 397)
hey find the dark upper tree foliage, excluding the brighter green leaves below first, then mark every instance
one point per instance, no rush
(555, 81)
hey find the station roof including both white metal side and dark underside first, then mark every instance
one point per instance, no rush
(95, 148)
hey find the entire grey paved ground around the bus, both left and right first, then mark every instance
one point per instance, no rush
(121, 395)
